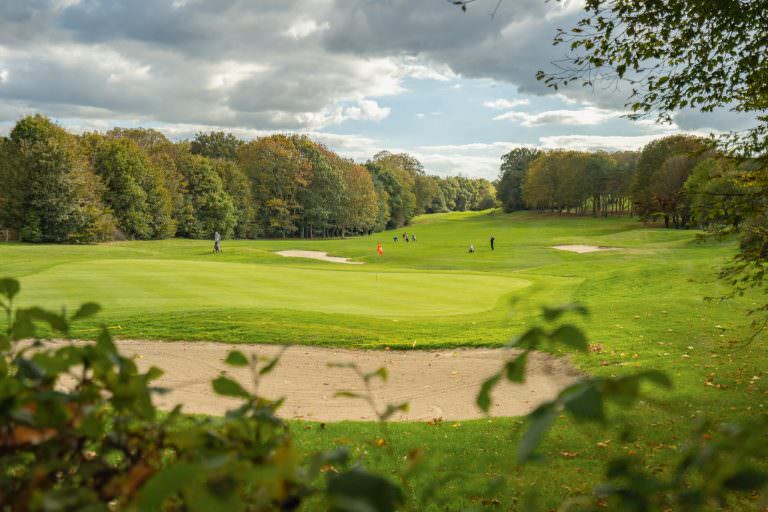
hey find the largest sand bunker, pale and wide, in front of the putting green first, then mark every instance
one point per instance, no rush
(438, 384)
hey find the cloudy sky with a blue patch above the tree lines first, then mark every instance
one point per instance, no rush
(455, 89)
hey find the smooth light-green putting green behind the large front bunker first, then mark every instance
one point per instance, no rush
(155, 286)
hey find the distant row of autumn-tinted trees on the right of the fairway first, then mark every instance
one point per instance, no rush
(679, 179)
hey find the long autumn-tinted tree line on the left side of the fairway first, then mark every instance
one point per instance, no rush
(137, 184)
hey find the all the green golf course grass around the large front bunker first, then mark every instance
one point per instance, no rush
(646, 302)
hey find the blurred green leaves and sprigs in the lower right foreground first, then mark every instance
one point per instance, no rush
(711, 468)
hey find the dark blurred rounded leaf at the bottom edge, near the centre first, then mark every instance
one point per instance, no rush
(357, 490)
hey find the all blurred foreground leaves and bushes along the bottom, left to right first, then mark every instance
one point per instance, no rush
(79, 431)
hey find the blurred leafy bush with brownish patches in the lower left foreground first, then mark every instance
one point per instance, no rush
(78, 431)
